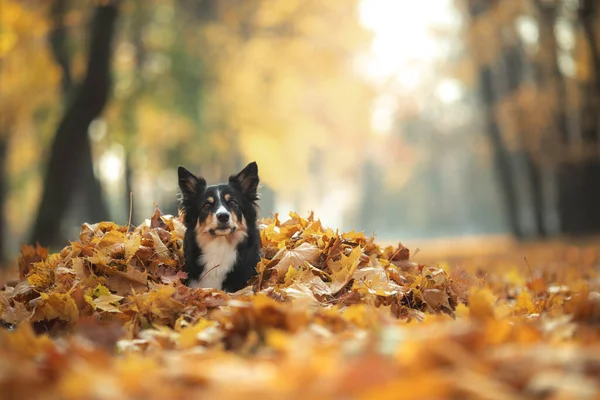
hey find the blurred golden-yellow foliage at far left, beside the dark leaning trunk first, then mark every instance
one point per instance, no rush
(22, 92)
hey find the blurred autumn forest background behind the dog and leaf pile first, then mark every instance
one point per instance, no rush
(437, 118)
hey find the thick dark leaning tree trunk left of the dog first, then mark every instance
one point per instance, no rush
(68, 151)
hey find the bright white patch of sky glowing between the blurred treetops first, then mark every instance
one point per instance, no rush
(403, 47)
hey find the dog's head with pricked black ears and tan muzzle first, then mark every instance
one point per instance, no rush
(223, 210)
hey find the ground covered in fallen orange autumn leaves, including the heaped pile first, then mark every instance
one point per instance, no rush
(330, 315)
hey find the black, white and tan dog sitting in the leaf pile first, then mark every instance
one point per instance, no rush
(222, 241)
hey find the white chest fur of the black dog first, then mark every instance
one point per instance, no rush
(218, 257)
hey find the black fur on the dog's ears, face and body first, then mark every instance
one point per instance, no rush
(194, 194)
